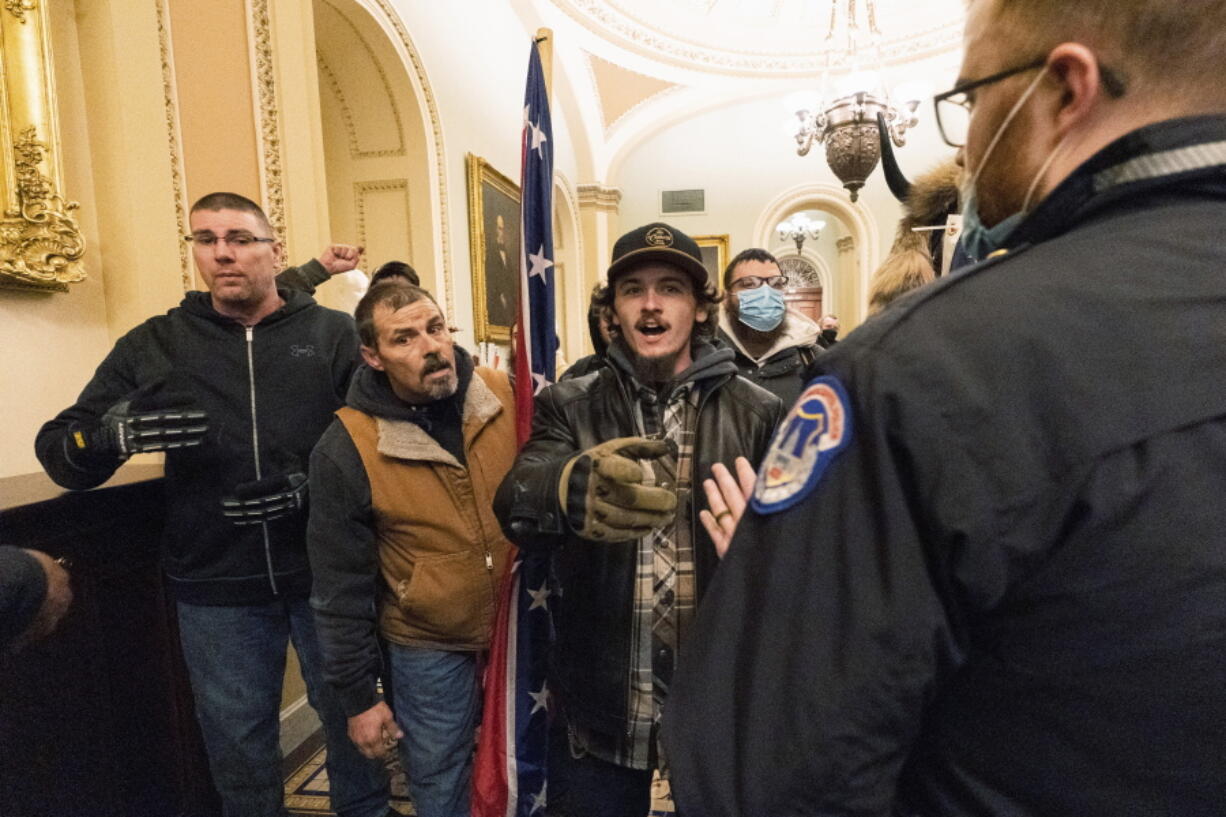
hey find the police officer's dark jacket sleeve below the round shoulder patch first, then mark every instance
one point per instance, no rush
(805, 680)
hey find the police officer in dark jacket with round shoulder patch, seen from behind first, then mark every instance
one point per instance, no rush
(985, 569)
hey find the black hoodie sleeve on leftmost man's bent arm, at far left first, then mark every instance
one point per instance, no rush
(116, 378)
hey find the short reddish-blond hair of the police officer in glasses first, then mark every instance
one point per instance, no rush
(1170, 46)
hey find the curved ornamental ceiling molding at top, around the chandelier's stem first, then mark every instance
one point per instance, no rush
(930, 36)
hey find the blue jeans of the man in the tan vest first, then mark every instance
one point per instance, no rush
(436, 705)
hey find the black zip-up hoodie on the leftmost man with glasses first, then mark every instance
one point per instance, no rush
(269, 391)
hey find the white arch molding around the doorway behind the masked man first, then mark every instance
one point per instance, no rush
(832, 199)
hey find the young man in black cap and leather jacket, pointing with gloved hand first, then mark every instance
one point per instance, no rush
(606, 485)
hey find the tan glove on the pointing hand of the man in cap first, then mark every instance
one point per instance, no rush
(604, 496)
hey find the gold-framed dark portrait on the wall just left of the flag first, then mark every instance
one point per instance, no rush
(495, 250)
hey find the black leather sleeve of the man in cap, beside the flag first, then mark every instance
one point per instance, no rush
(528, 504)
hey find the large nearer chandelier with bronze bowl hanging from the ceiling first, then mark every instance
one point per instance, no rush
(849, 123)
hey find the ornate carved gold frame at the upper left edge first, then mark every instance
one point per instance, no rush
(41, 244)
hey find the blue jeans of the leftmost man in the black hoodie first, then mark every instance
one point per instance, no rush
(237, 663)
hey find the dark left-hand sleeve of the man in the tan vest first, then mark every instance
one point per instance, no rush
(344, 560)
